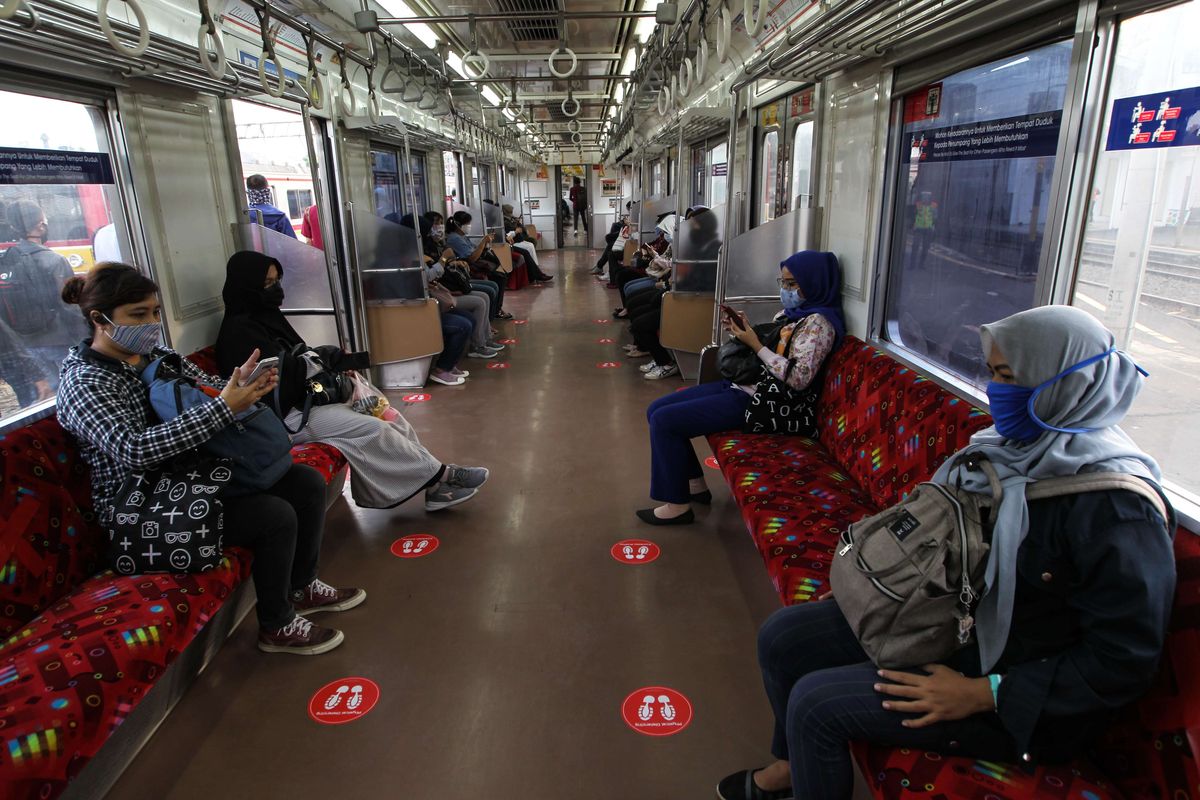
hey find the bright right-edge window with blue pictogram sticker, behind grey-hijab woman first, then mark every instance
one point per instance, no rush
(1139, 272)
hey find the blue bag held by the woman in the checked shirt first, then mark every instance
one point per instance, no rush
(256, 444)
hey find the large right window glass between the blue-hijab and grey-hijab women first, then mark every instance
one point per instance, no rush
(976, 163)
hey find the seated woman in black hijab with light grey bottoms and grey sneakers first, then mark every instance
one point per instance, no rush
(389, 464)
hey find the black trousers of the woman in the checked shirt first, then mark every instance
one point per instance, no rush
(283, 527)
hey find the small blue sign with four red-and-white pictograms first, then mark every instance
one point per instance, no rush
(1168, 119)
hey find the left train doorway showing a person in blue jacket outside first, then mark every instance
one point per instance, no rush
(280, 184)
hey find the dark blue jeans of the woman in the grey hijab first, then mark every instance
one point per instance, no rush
(821, 688)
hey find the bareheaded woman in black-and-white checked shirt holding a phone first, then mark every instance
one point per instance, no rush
(104, 402)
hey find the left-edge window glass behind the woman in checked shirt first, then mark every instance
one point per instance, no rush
(59, 215)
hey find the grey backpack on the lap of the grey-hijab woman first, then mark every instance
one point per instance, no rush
(909, 579)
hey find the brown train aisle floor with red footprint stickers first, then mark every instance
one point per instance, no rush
(505, 657)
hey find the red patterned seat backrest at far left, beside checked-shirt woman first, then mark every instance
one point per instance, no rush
(47, 543)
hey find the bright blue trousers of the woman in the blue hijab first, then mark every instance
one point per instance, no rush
(677, 418)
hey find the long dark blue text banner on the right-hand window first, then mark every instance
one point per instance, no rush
(1029, 136)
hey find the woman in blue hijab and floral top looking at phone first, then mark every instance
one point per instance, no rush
(811, 292)
